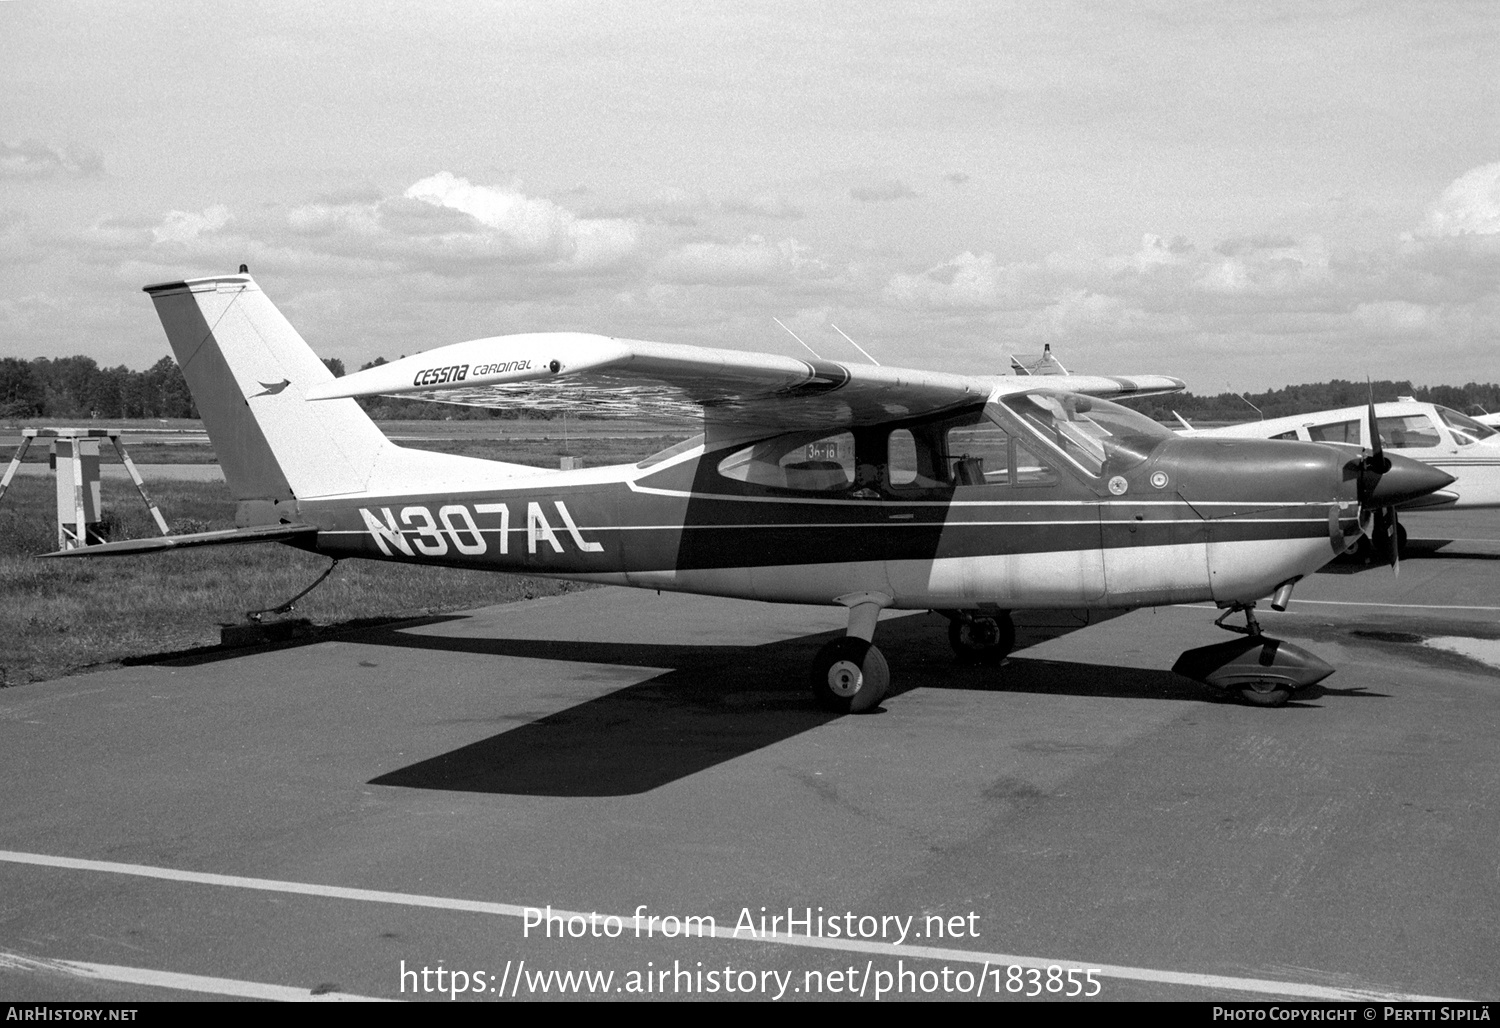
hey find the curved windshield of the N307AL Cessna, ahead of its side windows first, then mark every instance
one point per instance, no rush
(1091, 431)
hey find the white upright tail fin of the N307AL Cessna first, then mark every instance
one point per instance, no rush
(248, 371)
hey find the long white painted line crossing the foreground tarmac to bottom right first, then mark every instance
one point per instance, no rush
(1267, 987)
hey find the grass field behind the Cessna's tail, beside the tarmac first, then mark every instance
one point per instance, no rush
(67, 616)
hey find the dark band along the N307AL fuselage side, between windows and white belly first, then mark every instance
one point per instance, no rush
(683, 534)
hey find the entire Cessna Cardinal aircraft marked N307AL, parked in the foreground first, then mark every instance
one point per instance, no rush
(812, 482)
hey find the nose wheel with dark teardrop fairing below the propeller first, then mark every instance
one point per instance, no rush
(1264, 672)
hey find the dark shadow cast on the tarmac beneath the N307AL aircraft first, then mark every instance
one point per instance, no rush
(716, 703)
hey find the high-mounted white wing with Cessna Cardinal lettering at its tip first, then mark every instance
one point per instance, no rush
(725, 386)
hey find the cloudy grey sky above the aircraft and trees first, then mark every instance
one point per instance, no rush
(1247, 196)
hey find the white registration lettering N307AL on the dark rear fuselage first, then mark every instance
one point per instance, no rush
(416, 532)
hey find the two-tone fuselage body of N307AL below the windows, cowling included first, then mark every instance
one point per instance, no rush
(1198, 522)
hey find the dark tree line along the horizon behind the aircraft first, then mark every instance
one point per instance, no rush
(76, 388)
